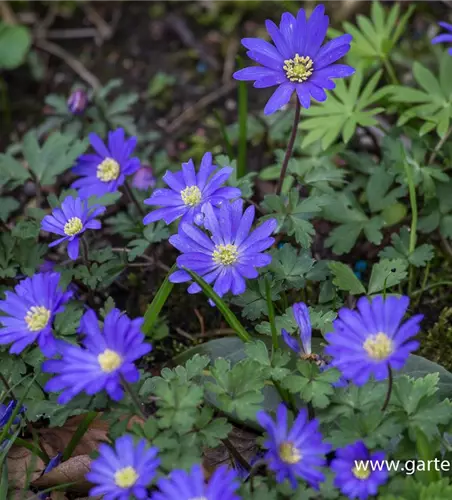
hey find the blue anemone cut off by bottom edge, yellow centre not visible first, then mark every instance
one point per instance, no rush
(182, 485)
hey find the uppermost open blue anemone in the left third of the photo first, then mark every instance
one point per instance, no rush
(105, 171)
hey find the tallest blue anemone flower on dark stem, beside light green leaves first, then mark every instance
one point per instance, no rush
(297, 62)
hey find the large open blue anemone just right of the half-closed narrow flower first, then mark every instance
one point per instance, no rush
(372, 339)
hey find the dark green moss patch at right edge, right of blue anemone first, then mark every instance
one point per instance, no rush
(436, 343)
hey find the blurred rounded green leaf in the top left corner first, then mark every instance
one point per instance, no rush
(15, 41)
